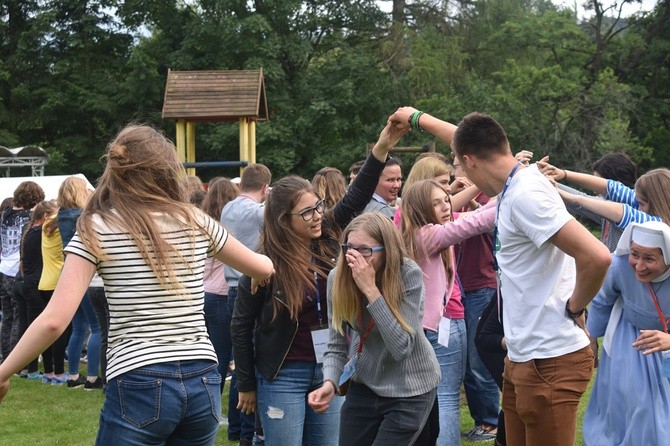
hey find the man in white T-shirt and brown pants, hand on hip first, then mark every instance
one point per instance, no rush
(550, 267)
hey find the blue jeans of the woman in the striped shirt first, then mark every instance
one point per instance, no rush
(171, 403)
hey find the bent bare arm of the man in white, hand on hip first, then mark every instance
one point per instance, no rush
(592, 259)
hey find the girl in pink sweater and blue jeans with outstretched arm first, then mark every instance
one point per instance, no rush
(430, 232)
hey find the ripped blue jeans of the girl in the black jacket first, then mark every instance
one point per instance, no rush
(286, 417)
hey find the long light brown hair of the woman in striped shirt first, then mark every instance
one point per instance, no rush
(143, 176)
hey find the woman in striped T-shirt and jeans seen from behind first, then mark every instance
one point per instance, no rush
(149, 246)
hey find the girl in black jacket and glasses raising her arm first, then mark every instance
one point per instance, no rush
(280, 330)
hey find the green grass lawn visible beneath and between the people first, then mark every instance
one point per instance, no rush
(36, 414)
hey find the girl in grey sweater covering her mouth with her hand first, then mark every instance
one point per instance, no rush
(377, 291)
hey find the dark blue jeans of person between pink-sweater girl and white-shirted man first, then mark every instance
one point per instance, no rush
(481, 389)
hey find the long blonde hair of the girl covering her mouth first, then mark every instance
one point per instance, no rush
(347, 298)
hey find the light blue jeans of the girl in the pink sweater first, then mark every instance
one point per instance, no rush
(452, 365)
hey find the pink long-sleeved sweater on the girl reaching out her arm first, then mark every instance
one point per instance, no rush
(436, 238)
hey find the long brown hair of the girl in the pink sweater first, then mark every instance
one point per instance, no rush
(417, 212)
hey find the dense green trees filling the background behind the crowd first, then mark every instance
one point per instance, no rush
(72, 72)
